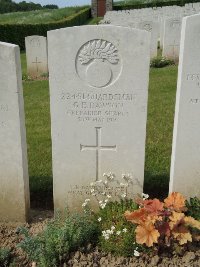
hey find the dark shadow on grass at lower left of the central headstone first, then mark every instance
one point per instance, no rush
(41, 193)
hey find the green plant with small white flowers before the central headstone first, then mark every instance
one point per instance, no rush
(116, 233)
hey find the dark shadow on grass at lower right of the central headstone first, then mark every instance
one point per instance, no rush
(156, 186)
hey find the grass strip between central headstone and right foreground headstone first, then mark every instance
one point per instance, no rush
(161, 104)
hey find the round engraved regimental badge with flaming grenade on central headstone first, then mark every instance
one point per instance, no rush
(98, 63)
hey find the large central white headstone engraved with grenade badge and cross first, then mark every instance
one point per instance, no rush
(98, 92)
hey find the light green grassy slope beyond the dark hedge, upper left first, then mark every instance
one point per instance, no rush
(38, 16)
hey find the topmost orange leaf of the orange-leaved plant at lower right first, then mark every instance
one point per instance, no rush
(175, 201)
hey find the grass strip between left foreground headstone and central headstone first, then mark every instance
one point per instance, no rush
(36, 98)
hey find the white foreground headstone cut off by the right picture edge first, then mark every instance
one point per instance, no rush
(185, 164)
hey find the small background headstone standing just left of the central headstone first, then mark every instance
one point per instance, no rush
(36, 55)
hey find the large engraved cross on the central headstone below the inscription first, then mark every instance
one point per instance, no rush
(98, 148)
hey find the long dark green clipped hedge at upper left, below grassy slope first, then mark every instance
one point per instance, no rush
(16, 33)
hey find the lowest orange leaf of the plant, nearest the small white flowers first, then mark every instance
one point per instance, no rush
(147, 234)
